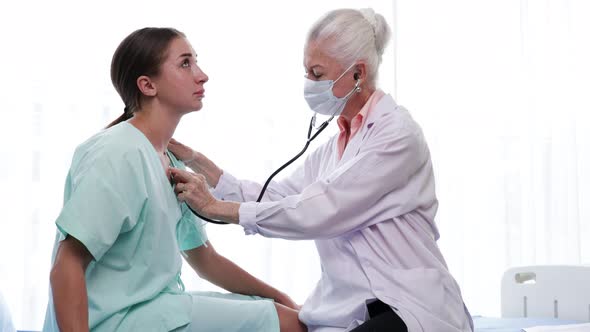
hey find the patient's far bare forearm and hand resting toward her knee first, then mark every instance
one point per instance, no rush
(222, 272)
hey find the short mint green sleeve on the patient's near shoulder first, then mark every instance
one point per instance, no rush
(105, 198)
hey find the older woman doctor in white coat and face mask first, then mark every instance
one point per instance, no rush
(366, 196)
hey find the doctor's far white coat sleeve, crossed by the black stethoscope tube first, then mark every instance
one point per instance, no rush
(231, 189)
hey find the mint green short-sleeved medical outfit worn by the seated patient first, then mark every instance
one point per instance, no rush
(119, 203)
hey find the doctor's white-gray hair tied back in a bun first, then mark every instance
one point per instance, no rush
(349, 35)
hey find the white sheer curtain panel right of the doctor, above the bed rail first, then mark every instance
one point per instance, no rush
(501, 89)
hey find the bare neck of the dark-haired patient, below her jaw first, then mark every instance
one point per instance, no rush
(157, 124)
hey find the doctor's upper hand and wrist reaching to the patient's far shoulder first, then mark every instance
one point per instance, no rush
(196, 161)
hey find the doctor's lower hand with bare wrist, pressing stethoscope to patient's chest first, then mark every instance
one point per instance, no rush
(193, 190)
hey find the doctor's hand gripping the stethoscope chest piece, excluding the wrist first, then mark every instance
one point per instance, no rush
(193, 189)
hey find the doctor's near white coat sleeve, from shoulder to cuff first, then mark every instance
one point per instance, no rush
(383, 181)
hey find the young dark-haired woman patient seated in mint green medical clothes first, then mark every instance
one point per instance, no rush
(121, 232)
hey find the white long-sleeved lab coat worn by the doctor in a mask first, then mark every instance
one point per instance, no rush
(371, 215)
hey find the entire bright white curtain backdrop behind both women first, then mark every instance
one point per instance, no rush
(498, 86)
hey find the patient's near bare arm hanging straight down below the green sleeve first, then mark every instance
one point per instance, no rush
(68, 285)
